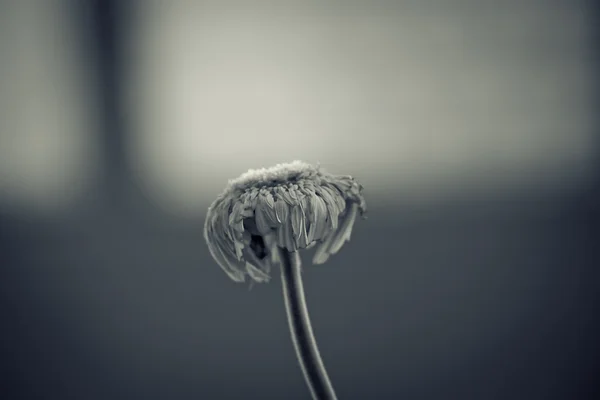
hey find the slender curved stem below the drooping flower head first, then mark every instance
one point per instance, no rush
(301, 330)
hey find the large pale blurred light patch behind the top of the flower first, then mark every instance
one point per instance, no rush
(413, 99)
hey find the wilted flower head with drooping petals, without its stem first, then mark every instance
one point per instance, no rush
(293, 206)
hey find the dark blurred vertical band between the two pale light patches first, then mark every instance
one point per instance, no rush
(101, 25)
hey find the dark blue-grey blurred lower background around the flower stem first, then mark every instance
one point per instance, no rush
(479, 299)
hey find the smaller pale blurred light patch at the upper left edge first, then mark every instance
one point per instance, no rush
(46, 151)
